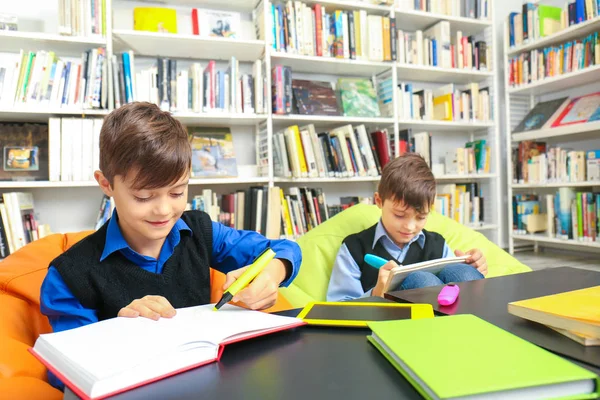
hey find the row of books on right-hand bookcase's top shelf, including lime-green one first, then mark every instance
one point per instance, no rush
(540, 20)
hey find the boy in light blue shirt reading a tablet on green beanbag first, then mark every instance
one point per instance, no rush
(405, 196)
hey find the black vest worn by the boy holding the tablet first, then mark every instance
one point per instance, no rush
(361, 243)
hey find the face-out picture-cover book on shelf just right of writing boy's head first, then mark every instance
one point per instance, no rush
(212, 152)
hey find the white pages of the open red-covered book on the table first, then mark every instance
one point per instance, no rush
(110, 347)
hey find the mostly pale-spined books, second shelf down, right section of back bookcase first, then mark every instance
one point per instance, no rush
(437, 48)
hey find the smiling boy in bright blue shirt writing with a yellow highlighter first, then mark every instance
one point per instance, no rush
(152, 257)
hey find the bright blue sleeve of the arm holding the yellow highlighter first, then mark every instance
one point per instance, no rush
(233, 249)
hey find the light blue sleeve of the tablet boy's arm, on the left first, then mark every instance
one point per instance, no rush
(344, 283)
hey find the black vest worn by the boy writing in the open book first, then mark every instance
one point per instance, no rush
(115, 282)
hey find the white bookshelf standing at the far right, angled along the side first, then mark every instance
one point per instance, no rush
(519, 100)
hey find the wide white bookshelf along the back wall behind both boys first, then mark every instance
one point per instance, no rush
(246, 127)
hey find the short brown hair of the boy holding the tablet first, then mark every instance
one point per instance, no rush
(409, 179)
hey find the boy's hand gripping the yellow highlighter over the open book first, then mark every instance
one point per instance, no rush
(262, 292)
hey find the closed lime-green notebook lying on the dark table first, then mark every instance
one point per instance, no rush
(464, 357)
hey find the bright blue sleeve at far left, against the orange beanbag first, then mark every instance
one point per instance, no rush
(63, 310)
